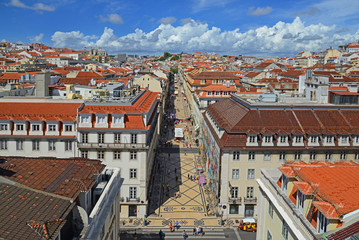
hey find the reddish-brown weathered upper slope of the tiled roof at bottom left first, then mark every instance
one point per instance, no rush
(64, 177)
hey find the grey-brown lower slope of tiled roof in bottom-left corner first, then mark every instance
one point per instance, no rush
(28, 214)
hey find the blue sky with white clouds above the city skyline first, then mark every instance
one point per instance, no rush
(258, 27)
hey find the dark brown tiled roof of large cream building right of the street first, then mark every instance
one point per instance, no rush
(237, 119)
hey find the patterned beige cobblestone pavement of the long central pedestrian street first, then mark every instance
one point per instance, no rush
(174, 195)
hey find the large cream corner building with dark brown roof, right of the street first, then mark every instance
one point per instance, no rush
(241, 137)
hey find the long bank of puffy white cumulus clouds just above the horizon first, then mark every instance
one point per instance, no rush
(277, 40)
